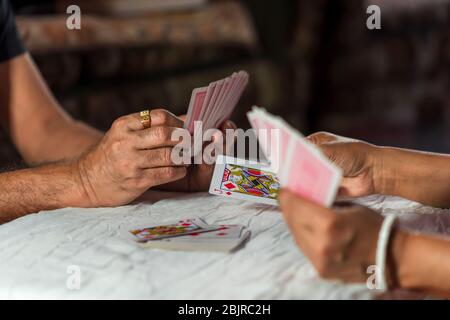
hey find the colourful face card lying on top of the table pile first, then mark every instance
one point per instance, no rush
(144, 233)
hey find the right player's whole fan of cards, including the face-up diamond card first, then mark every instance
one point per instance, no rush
(295, 164)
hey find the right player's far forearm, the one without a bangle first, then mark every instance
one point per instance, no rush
(418, 176)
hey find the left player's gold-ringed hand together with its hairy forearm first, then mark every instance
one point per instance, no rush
(125, 163)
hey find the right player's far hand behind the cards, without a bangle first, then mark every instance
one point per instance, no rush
(359, 161)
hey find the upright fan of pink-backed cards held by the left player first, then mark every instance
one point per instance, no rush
(212, 105)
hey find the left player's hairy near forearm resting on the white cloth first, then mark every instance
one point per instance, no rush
(43, 188)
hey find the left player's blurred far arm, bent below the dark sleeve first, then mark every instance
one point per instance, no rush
(41, 130)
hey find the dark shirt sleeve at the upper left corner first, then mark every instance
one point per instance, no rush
(10, 43)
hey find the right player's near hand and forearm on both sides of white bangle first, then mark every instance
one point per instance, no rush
(341, 243)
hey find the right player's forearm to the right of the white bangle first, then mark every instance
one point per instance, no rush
(421, 262)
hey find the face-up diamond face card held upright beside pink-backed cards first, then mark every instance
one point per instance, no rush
(245, 180)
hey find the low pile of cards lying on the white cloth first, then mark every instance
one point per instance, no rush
(189, 235)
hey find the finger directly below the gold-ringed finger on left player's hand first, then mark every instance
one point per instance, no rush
(157, 137)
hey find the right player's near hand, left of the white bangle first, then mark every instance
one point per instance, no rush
(340, 243)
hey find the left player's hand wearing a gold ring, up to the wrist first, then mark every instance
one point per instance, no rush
(129, 159)
